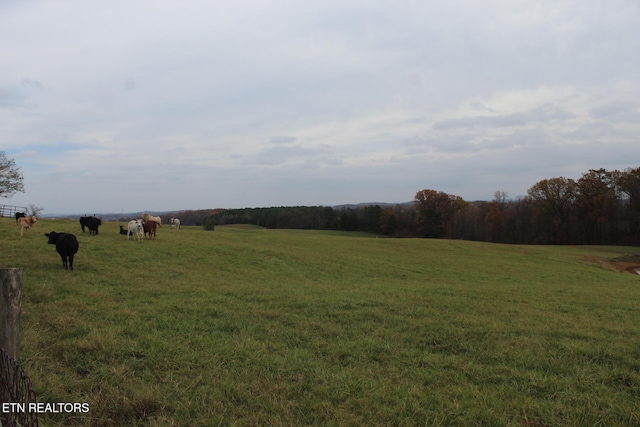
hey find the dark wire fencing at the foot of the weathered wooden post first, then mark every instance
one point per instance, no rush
(16, 395)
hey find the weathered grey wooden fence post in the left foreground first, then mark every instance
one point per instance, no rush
(10, 309)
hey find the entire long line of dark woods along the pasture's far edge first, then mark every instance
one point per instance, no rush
(602, 207)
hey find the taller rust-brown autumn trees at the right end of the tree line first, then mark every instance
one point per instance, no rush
(602, 207)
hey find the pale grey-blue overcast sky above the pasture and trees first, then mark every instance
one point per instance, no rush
(124, 106)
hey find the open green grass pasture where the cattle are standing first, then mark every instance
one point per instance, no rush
(280, 327)
